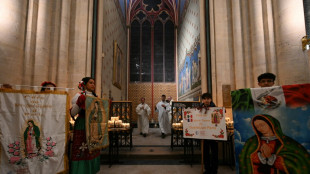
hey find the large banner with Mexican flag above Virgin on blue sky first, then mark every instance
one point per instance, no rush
(272, 129)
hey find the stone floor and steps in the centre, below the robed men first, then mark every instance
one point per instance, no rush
(153, 155)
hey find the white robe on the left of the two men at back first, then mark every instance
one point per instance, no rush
(143, 117)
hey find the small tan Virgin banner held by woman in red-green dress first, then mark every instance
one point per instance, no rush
(97, 115)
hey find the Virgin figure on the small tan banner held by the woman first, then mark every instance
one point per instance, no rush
(95, 119)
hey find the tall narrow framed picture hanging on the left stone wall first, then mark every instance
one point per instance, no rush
(117, 65)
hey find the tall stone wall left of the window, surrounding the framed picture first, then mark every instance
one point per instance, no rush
(113, 28)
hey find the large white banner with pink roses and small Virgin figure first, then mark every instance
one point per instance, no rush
(33, 131)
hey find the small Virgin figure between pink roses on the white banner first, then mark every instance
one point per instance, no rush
(32, 140)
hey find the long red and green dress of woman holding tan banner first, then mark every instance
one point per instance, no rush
(82, 161)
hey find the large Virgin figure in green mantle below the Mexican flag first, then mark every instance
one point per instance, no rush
(271, 151)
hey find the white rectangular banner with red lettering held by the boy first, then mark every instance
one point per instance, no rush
(204, 124)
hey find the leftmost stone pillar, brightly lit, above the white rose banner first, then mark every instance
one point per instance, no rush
(13, 24)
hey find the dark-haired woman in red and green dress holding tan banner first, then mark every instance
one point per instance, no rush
(82, 161)
